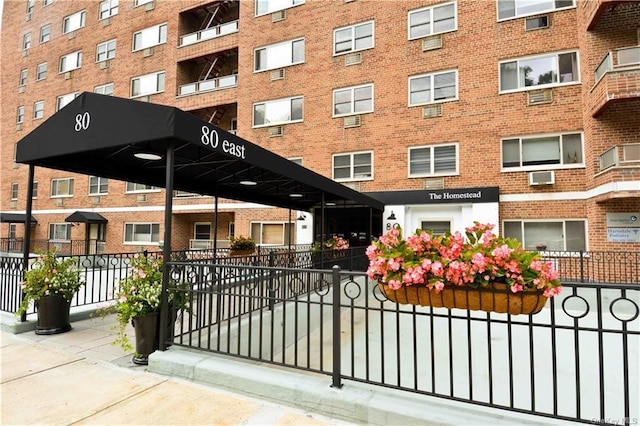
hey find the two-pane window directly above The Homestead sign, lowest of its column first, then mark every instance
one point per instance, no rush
(433, 160)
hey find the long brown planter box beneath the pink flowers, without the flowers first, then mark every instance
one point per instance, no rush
(494, 298)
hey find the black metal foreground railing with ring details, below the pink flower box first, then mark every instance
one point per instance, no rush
(577, 360)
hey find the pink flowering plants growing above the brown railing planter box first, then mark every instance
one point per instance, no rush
(476, 261)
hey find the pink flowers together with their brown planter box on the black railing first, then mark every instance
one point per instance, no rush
(482, 272)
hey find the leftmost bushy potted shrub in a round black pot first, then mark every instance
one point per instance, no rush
(50, 283)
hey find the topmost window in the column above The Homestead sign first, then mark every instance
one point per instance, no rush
(432, 20)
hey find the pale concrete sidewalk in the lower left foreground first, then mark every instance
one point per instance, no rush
(79, 377)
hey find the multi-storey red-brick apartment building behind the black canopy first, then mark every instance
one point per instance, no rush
(519, 113)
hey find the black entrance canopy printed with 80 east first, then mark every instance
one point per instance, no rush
(99, 135)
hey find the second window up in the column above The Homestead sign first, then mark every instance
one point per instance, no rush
(433, 88)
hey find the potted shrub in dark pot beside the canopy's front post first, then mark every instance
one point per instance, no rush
(138, 301)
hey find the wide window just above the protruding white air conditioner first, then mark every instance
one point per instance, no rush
(540, 152)
